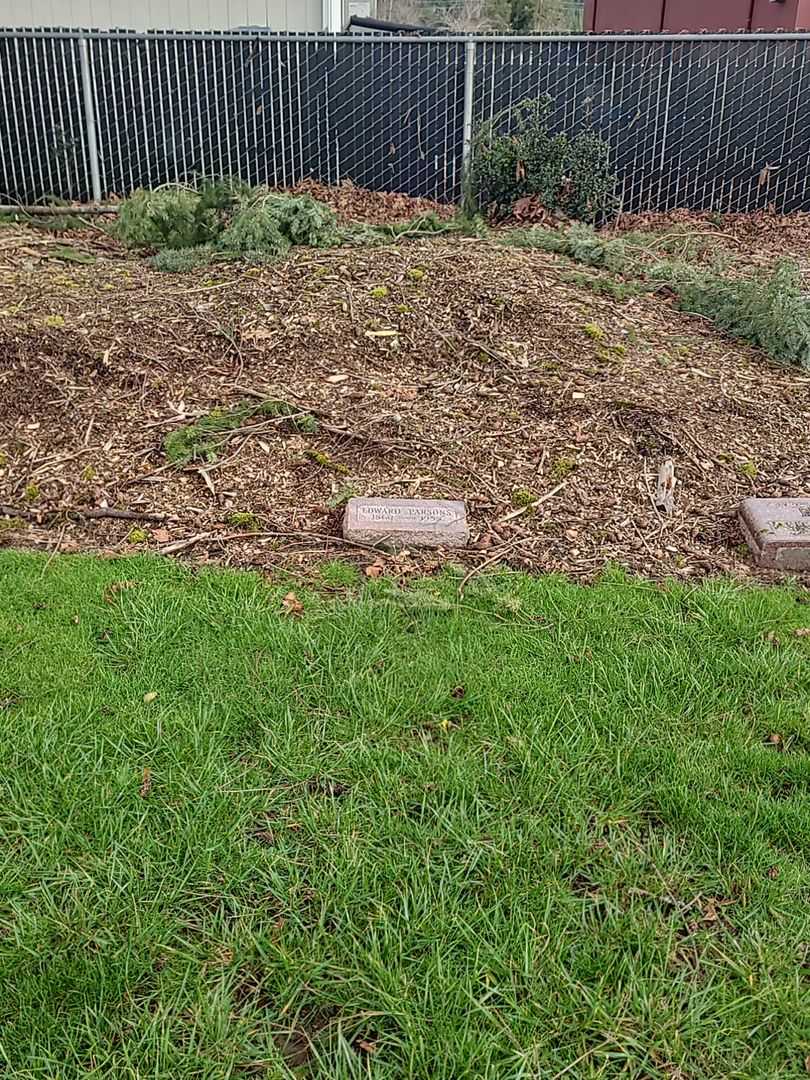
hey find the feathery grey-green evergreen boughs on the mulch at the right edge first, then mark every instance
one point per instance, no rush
(773, 314)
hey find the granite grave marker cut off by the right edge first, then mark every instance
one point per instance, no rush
(778, 532)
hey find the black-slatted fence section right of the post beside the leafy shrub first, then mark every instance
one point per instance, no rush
(704, 125)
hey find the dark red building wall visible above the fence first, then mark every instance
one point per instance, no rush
(697, 16)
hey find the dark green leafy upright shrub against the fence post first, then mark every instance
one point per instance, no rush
(569, 174)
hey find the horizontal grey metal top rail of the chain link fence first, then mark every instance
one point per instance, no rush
(363, 39)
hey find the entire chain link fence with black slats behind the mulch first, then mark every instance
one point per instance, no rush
(704, 121)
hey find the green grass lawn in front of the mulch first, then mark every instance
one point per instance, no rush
(539, 833)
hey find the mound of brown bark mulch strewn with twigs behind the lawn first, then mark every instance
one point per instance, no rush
(447, 368)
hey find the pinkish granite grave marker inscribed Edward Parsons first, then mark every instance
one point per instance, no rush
(407, 523)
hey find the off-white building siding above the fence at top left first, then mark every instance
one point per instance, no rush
(165, 15)
